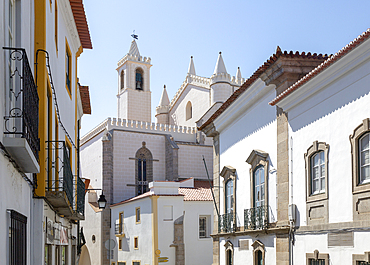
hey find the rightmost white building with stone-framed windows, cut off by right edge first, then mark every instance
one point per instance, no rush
(328, 116)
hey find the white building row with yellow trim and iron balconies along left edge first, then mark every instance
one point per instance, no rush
(34, 227)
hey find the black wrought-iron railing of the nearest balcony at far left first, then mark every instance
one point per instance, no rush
(22, 100)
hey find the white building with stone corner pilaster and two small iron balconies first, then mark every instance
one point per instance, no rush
(251, 221)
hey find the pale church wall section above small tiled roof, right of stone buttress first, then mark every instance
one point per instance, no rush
(191, 160)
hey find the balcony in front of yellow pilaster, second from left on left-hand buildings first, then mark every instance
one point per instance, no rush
(59, 182)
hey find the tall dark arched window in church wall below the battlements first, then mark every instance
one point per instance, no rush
(143, 169)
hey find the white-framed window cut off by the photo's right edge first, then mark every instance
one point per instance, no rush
(364, 159)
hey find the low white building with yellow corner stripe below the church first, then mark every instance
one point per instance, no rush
(170, 223)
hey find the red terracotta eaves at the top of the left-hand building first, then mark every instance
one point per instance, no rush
(81, 23)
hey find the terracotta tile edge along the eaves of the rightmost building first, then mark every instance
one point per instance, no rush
(349, 47)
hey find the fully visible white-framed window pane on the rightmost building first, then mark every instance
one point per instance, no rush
(318, 173)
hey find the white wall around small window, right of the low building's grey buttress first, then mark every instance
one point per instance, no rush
(198, 250)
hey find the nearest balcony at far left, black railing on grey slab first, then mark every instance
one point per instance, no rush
(22, 108)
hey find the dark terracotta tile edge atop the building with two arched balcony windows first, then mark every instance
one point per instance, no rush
(256, 75)
